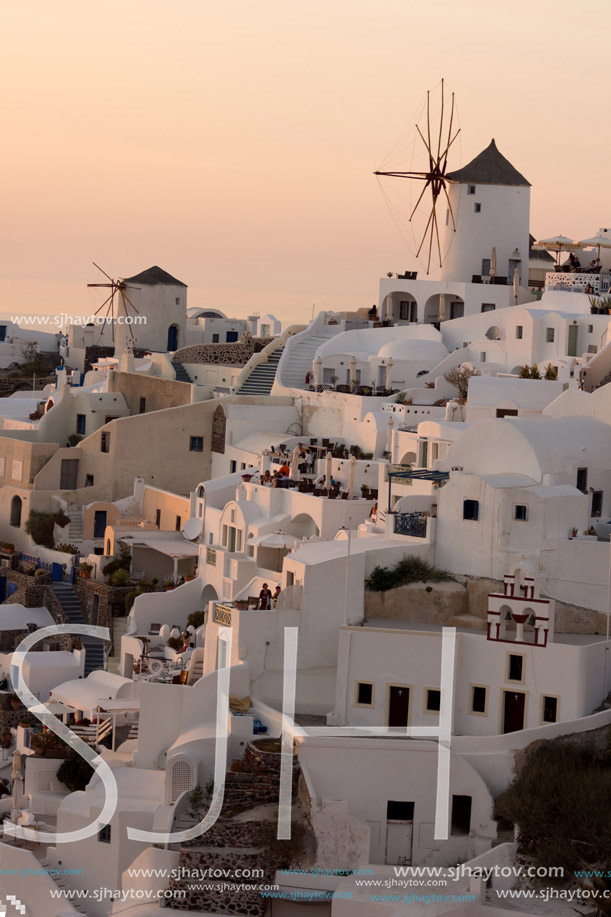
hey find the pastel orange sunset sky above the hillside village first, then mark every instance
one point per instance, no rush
(233, 142)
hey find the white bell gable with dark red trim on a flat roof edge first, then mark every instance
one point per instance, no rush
(521, 603)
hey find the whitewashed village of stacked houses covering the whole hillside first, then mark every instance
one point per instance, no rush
(245, 498)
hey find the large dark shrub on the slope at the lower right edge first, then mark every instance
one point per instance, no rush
(559, 802)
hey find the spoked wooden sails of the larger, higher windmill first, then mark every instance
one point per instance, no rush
(435, 176)
